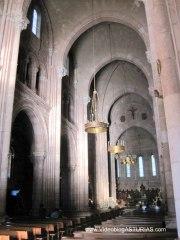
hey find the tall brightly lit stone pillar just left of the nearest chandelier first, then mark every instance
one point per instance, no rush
(81, 188)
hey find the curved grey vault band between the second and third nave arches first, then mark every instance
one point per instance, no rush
(116, 67)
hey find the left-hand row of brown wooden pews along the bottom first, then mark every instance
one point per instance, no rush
(52, 229)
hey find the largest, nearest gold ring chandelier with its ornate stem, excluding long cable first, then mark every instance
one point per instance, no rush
(94, 126)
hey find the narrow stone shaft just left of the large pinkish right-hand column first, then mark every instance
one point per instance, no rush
(163, 155)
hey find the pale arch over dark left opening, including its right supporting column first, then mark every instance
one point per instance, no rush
(39, 151)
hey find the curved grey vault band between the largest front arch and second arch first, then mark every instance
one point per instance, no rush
(124, 51)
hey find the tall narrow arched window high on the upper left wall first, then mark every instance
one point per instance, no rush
(36, 22)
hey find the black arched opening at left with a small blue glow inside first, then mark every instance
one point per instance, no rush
(20, 181)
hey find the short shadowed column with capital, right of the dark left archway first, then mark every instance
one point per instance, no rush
(38, 166)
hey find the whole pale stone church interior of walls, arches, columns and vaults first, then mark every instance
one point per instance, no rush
(50, 52)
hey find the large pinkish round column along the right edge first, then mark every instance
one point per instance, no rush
(162, 48)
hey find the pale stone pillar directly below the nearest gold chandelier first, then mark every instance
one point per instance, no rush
(101, 169)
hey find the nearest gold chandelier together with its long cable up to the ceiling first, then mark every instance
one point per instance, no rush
(94, 126)
